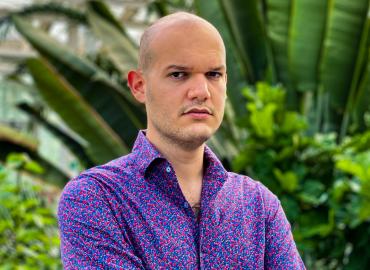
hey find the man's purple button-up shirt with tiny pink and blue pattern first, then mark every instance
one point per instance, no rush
(131, 214)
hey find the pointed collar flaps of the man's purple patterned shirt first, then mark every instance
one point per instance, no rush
(146, 152)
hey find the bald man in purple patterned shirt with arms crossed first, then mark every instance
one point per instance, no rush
(170, 204)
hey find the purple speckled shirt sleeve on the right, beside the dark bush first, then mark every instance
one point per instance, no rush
(281, 251)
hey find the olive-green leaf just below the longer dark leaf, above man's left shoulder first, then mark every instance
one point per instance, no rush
(102, 143)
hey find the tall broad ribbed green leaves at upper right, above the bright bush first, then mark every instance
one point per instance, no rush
(319, 51)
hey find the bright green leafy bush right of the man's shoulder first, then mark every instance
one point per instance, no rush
(323, 186)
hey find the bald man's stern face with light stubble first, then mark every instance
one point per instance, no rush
(185, 86)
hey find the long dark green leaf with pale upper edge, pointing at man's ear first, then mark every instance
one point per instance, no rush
(113, 102)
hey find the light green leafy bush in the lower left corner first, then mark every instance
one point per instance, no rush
(28, 229)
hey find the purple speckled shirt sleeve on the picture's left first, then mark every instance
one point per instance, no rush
(90, 235)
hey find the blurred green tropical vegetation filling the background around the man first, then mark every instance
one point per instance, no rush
(297, 116)
